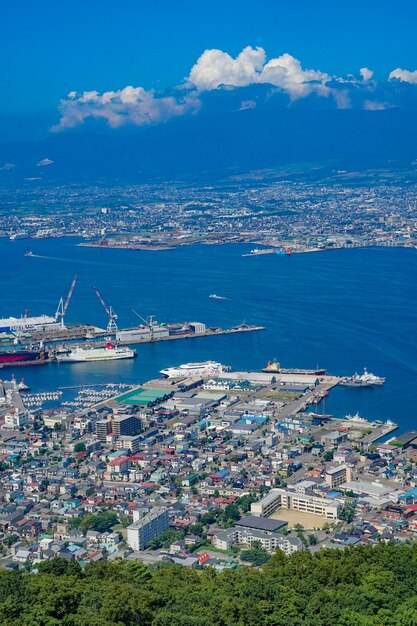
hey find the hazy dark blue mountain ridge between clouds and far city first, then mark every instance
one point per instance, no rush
(220, 145)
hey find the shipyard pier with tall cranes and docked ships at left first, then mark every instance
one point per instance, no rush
(42, 339)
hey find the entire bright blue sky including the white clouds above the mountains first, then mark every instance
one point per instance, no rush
(84, 48)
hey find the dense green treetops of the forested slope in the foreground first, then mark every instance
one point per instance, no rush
(365, 586)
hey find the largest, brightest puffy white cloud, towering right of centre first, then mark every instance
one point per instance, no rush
(215, 68)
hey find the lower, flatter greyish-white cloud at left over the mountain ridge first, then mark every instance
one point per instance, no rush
(131, 105)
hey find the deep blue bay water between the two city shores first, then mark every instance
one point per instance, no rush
(342, 310)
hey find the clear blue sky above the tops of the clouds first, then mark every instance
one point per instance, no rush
(49, 48)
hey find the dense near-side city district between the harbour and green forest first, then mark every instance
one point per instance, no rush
(197, 470)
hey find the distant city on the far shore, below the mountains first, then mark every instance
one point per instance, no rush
(298, 216)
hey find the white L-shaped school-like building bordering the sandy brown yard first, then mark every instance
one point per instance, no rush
(285, 499)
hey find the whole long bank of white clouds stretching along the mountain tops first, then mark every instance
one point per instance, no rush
(219, 81)
